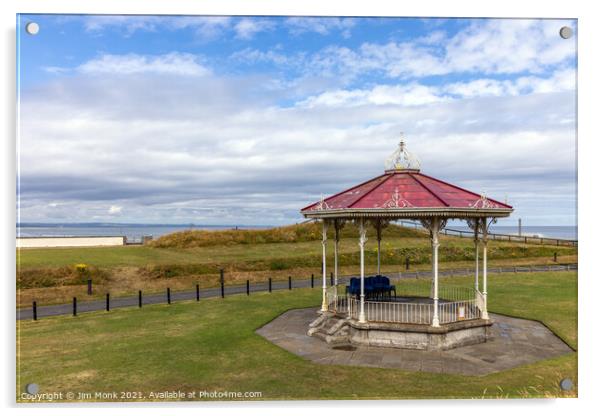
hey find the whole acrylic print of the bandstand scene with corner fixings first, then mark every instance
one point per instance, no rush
(217, 208)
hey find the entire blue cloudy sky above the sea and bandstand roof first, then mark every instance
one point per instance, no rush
(245, 120)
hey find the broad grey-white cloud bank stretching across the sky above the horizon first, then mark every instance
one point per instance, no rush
(221, 151)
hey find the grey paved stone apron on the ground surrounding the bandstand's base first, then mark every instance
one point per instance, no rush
(514, 342)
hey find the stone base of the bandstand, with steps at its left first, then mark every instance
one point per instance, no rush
(339, 330)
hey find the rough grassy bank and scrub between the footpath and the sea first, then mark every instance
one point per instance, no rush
(182, 260)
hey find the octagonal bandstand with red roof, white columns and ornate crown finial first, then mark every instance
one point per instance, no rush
(372, 311)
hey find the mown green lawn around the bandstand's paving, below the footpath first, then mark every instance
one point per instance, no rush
(212, 345)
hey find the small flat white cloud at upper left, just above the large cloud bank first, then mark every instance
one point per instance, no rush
(171, 63)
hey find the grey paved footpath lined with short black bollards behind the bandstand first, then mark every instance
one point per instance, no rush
(132, 301)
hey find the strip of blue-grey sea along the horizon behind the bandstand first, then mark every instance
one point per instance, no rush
(137, 231)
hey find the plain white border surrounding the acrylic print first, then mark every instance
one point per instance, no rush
(589, 182)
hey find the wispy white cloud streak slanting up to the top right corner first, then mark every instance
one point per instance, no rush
(497, 46)
